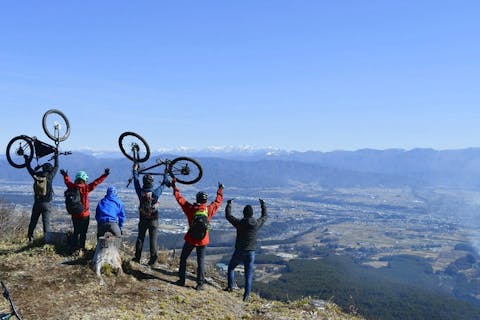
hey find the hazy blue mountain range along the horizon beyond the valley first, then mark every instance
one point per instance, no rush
(277, 168)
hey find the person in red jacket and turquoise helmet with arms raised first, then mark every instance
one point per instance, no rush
(82, 220)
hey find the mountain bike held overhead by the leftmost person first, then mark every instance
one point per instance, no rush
(22, 149)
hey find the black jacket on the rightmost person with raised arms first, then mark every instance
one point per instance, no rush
(246, 228)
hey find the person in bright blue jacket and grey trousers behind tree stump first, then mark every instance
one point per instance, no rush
(110, 214)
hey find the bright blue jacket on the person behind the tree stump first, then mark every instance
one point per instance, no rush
(110, 208)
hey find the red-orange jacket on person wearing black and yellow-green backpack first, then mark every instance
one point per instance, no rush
(190, 209)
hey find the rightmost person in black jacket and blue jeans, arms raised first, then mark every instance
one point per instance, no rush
(245, 243)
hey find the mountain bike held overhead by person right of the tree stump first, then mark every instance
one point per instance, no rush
(184, 169)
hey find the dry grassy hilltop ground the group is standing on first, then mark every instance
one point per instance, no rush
(47, 283)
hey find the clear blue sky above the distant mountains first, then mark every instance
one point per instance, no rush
(295, 75)
